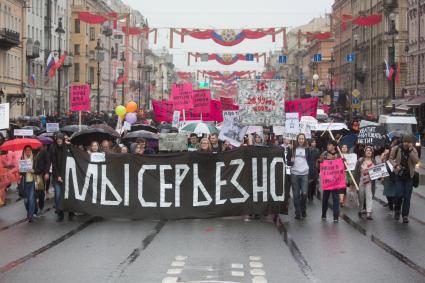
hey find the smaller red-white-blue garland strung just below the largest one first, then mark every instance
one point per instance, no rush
(225, 59)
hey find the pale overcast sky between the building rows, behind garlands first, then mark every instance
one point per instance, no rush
(219, 14)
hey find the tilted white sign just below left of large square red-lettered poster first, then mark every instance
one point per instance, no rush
(232, 130)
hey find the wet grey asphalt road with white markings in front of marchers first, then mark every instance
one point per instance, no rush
(235, 249)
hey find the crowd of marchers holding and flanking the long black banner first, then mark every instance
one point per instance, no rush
(302, 157)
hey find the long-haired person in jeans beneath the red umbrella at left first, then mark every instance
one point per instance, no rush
(28, 183)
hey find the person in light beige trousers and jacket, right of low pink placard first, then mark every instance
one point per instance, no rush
(361, 175)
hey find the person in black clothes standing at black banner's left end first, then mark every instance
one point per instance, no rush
(57, 155)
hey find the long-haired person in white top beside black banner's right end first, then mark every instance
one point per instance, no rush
(299, 176)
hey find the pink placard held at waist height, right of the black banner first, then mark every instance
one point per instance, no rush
(332, 174)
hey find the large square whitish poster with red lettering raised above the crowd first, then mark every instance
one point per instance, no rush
(261, 102)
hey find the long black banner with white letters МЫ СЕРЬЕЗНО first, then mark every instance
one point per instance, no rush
(248, 180)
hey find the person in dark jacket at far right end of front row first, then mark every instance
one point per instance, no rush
(404, 159)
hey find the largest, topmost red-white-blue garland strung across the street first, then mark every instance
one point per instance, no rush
(227, 37)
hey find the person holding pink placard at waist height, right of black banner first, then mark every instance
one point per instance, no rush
(330, 154)
